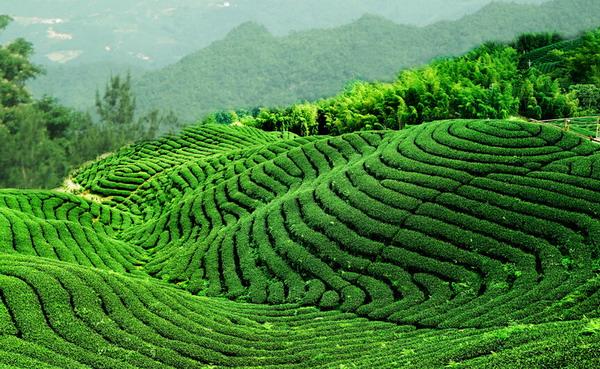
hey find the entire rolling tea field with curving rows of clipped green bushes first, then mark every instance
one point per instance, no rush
(459, 244)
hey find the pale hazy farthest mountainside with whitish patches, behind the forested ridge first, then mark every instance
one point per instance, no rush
(157, 33)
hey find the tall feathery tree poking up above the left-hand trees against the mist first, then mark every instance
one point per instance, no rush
(117, 105)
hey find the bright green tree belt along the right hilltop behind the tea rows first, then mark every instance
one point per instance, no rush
(493, 81)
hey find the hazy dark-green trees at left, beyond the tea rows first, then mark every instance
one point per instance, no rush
(41, 140)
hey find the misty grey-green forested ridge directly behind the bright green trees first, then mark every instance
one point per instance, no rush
(251, 67)
